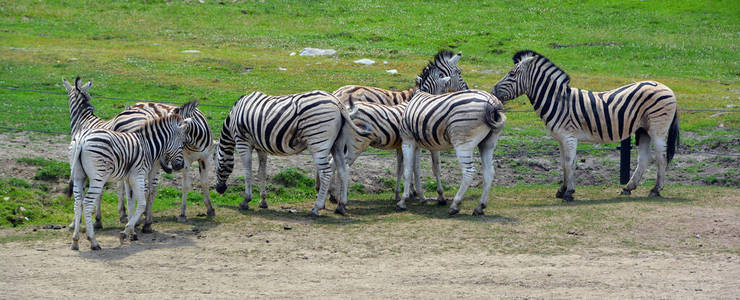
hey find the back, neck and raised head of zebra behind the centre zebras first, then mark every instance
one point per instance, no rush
(445, 61)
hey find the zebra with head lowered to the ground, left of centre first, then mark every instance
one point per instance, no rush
(287, 125)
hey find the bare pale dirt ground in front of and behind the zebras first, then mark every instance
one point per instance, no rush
(273, 256)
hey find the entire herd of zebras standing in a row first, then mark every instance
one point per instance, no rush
(439, 113)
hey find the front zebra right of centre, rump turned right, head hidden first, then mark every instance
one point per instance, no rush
(460, 120)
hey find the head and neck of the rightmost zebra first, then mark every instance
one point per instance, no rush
(527, 65)
